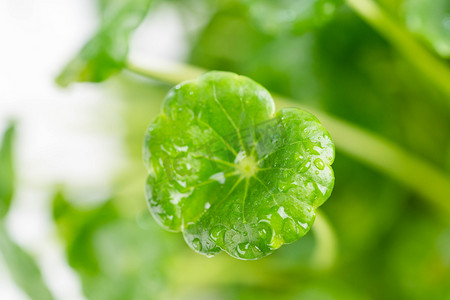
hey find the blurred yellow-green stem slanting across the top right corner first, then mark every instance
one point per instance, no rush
(401, 39)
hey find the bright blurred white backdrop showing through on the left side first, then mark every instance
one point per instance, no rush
(63, 136)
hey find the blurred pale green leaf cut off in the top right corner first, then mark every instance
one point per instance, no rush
(431, 21)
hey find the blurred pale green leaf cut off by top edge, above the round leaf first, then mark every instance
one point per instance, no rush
(291, 15)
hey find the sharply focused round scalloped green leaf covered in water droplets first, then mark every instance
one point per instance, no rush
(230, 173)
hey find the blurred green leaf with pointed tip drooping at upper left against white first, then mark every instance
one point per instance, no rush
(106, 52)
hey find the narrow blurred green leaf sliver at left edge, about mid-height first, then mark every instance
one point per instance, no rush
(6, 170)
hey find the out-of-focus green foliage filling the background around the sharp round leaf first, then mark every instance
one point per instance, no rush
(390, 243)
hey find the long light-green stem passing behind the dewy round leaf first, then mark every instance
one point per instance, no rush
(410, 170)
